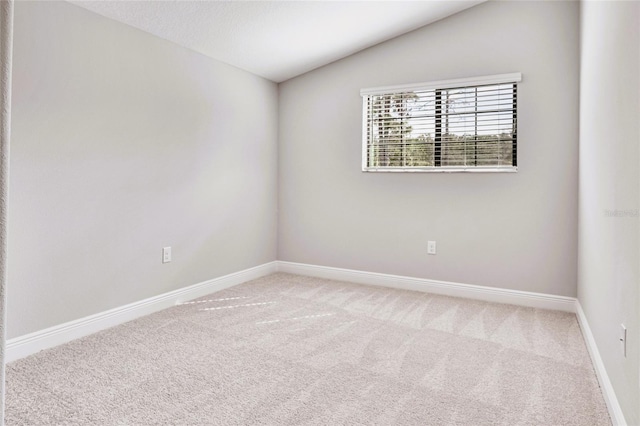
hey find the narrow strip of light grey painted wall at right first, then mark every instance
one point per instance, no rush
(609, 194)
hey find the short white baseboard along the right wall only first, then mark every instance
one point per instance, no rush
(615, 411)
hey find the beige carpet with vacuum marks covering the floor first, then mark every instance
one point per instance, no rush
(292, 350)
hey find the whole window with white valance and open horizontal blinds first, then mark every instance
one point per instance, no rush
(454, 125)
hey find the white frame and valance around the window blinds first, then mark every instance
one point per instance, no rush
(511, 78)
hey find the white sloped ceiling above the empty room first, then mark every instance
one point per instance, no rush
(277, 40)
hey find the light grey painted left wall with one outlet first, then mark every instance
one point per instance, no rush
(123, 143)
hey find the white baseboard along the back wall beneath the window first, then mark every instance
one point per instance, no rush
(489, 294)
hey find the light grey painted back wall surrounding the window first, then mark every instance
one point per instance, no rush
(514, 231)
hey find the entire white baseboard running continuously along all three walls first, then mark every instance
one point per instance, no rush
(31, 343)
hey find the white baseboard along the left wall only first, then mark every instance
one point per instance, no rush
(26, 345)
